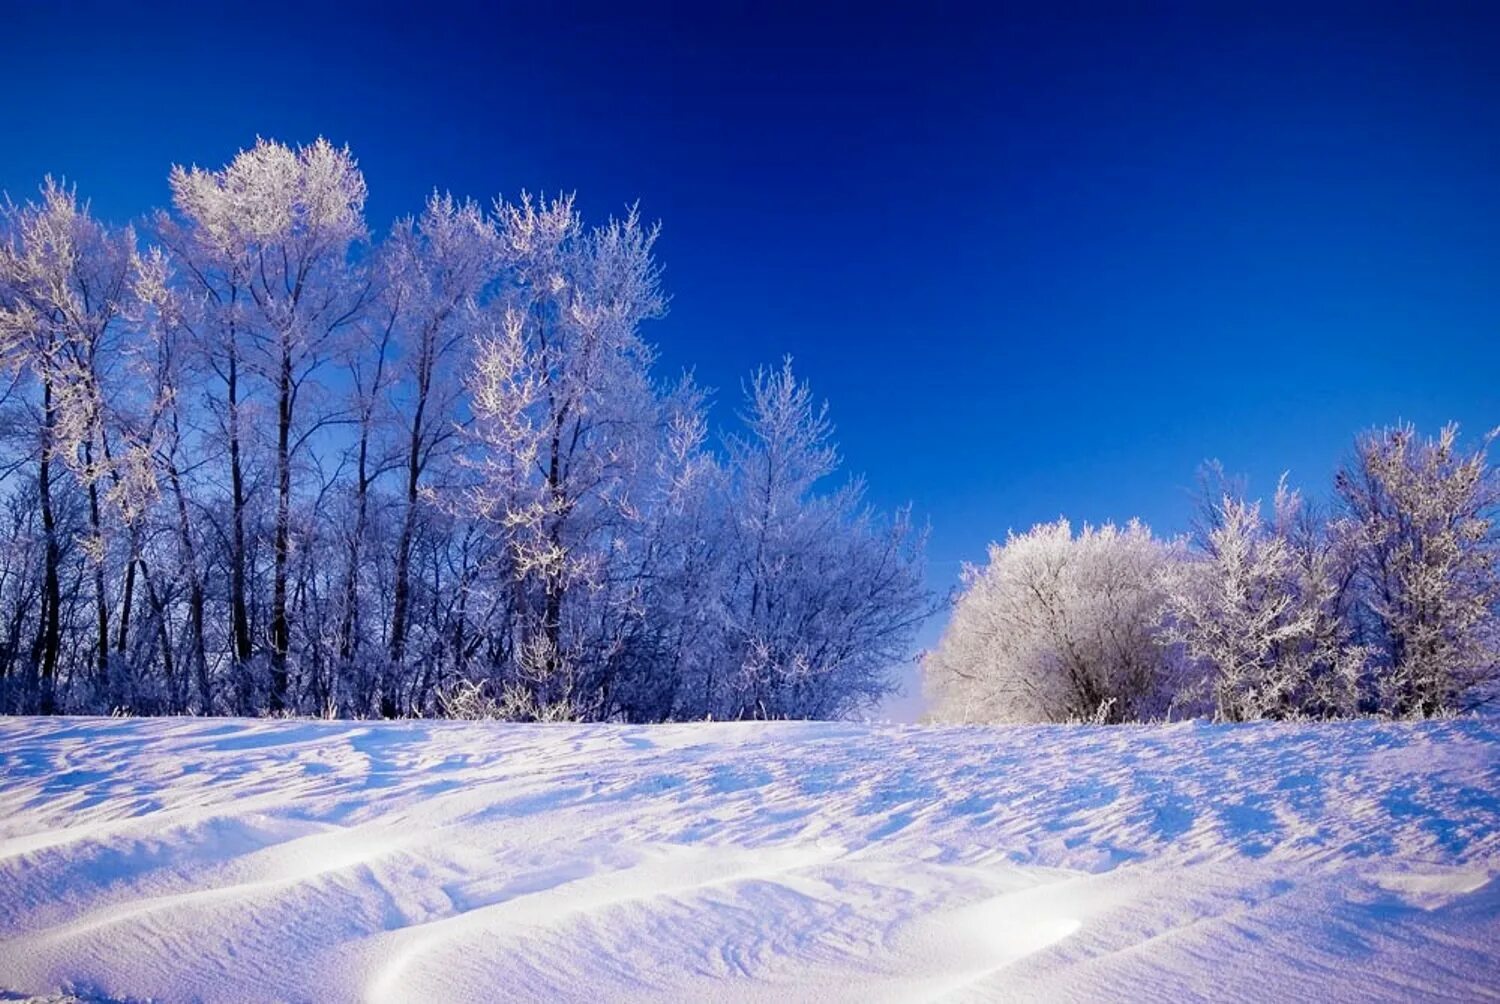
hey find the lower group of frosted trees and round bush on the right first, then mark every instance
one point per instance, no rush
(1388, 606)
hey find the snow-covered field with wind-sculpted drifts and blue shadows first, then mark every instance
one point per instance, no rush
(254, 861)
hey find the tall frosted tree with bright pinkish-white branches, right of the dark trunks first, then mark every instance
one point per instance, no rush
(563, 419)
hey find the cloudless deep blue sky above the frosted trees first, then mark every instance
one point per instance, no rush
(1040, 265)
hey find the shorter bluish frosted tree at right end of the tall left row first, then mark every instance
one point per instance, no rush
(823, 597)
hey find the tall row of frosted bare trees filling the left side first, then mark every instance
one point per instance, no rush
(259, 463)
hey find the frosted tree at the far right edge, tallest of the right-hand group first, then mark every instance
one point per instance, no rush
(1424, 528)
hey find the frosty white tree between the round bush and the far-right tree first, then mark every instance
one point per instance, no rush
(1261, 613)
